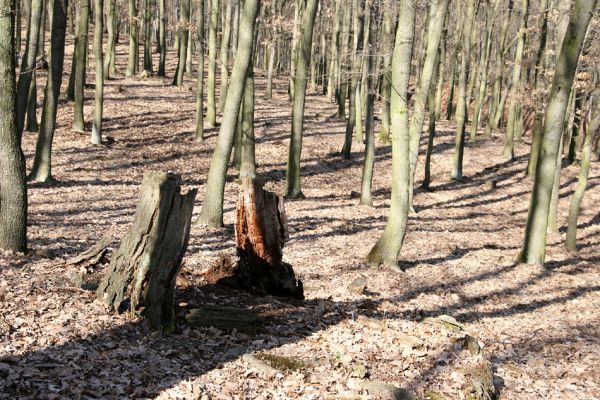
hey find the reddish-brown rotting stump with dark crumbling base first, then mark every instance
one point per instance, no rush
(260, 233)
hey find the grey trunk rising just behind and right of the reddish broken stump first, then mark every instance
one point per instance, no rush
(309, 10)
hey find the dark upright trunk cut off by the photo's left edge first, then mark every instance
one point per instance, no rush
(13, 188)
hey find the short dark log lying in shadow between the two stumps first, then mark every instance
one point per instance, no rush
(224, 318)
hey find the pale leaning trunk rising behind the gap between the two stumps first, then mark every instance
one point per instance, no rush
(212, 206)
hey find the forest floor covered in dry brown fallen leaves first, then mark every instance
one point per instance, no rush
(539, 326)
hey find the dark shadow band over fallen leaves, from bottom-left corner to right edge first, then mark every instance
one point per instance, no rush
(128, 360)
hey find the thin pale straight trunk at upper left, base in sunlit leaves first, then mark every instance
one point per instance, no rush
(96, 137)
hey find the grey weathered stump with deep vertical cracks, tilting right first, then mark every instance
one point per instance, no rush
(142, 272)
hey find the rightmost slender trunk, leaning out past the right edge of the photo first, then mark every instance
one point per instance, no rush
(571, 241)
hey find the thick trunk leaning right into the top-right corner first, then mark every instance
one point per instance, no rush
(534, 245)
